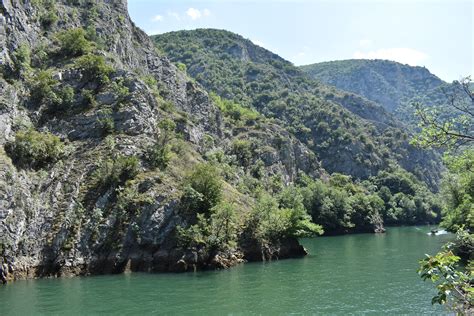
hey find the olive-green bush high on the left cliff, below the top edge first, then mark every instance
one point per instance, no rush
(73, 43)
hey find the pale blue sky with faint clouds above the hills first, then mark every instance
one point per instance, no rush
(437, 34)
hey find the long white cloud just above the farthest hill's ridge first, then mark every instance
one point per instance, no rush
(402, 54)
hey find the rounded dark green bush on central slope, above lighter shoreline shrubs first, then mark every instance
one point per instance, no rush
(203, 189)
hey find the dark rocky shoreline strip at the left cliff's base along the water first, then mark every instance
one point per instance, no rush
(175, 260)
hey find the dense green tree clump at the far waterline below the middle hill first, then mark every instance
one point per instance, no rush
(340, 205)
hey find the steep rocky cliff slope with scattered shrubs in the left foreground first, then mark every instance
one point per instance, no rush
(99, 138)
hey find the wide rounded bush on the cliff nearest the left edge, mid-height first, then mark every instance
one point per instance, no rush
(34, 149)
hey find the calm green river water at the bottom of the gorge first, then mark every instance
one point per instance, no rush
(358, 274)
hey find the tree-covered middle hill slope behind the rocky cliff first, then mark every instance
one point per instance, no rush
(349, 133)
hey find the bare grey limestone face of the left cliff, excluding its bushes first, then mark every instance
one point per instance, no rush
(54, 221)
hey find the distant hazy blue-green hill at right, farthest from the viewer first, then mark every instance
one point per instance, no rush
(388, 83)
